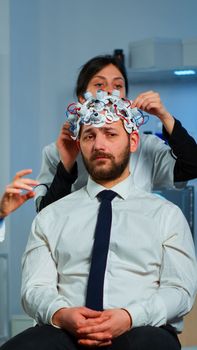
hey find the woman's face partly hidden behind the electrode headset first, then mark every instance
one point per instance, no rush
(108, 79)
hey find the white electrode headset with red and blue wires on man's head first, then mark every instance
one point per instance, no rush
(103, 109)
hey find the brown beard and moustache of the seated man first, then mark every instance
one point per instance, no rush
(113, 172)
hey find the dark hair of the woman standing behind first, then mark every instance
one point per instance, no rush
(93, 66)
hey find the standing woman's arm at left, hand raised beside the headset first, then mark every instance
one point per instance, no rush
(58, 170)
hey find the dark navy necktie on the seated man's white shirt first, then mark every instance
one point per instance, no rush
(94, 297)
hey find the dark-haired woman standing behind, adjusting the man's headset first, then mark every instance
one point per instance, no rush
(154, 165)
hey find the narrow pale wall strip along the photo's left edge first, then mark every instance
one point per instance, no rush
(4, 153)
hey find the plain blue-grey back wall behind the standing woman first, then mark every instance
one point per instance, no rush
(49, 41)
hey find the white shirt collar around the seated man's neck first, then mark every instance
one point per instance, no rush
(123, 188)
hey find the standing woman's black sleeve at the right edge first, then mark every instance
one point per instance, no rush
(184, 149)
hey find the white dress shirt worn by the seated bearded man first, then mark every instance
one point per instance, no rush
(151, 267)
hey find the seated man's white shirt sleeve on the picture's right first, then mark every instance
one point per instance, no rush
(178, 277)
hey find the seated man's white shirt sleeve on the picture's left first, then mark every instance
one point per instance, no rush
(40, 297)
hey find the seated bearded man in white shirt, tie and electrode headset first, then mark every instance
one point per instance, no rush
(122, 281)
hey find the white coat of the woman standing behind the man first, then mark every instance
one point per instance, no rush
(152, 166)
